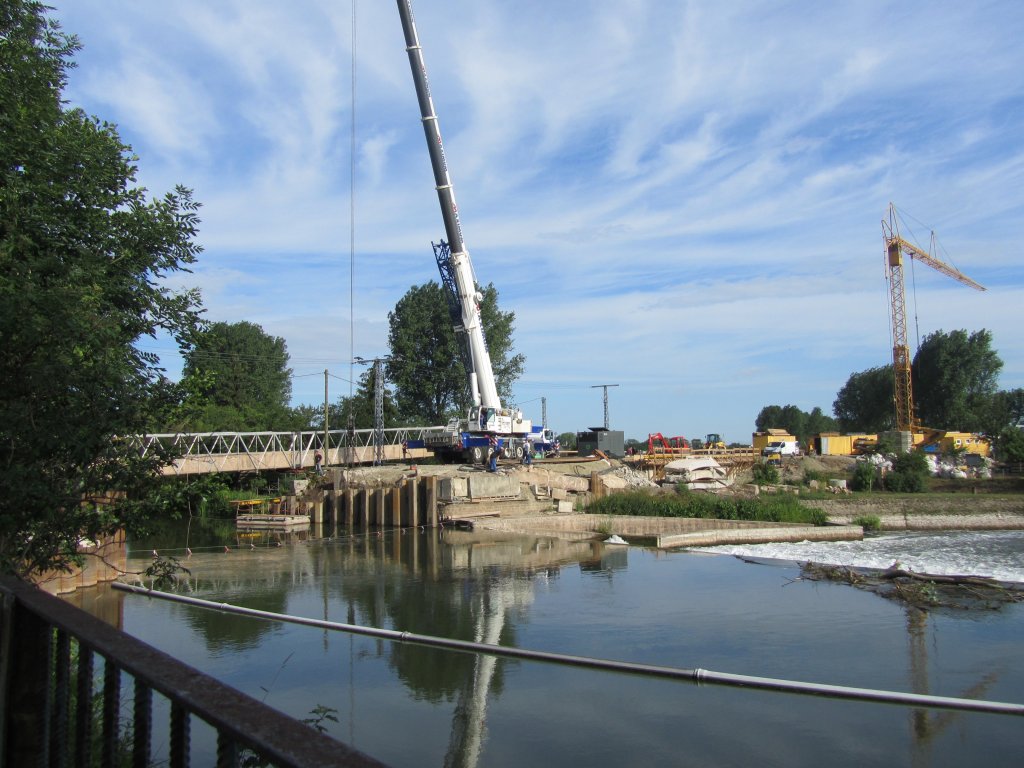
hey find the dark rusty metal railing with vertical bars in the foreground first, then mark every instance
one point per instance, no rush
(62, 677)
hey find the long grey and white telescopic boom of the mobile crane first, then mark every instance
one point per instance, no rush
(482, 376)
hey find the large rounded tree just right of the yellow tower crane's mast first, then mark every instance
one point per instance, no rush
(955, 379)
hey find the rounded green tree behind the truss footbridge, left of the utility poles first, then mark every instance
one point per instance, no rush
(246, 382)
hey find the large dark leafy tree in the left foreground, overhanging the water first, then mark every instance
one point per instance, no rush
(83, 257)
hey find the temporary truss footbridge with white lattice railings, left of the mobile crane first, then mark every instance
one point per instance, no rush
(198, 453)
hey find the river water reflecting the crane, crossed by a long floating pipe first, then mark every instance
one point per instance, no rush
(411, 706)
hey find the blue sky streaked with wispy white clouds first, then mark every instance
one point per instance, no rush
(681, 199)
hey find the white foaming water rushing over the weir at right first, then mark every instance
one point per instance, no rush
(998, 554)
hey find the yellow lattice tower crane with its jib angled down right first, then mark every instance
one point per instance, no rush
(895, 248)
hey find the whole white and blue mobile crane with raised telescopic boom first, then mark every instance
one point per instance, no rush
(463, 439)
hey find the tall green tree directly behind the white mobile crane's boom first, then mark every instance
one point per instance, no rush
(426, 364)
